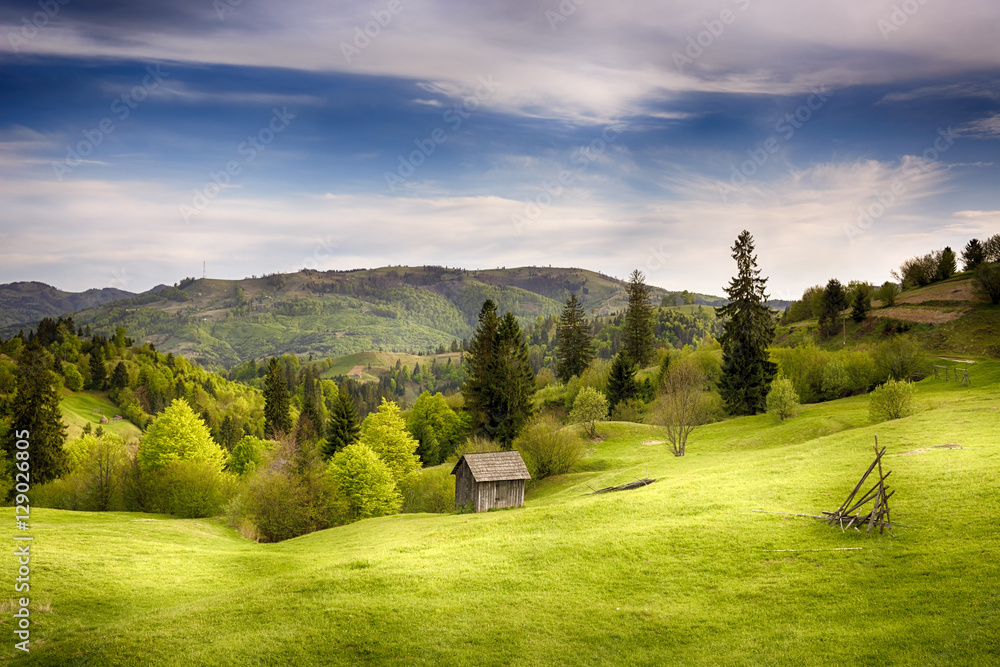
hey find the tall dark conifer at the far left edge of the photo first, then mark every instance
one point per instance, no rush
(35, 417)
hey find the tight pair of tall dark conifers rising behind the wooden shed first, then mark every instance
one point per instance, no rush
(499, 379)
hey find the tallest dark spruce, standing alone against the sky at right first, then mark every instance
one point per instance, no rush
(748, 331)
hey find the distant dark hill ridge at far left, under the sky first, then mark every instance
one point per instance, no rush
(29, 302)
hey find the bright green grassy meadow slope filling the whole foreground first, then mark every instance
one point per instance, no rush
(680, 572)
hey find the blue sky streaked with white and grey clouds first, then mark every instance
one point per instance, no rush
(141, 143)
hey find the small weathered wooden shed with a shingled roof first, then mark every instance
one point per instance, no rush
(491, 480)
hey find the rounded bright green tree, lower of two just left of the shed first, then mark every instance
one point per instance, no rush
(367, 483)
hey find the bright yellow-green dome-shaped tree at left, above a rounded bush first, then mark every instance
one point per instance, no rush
(178, 434)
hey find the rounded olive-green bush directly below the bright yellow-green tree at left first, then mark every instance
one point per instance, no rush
(189, 489)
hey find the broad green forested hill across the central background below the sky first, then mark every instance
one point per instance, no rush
(335, 313)
